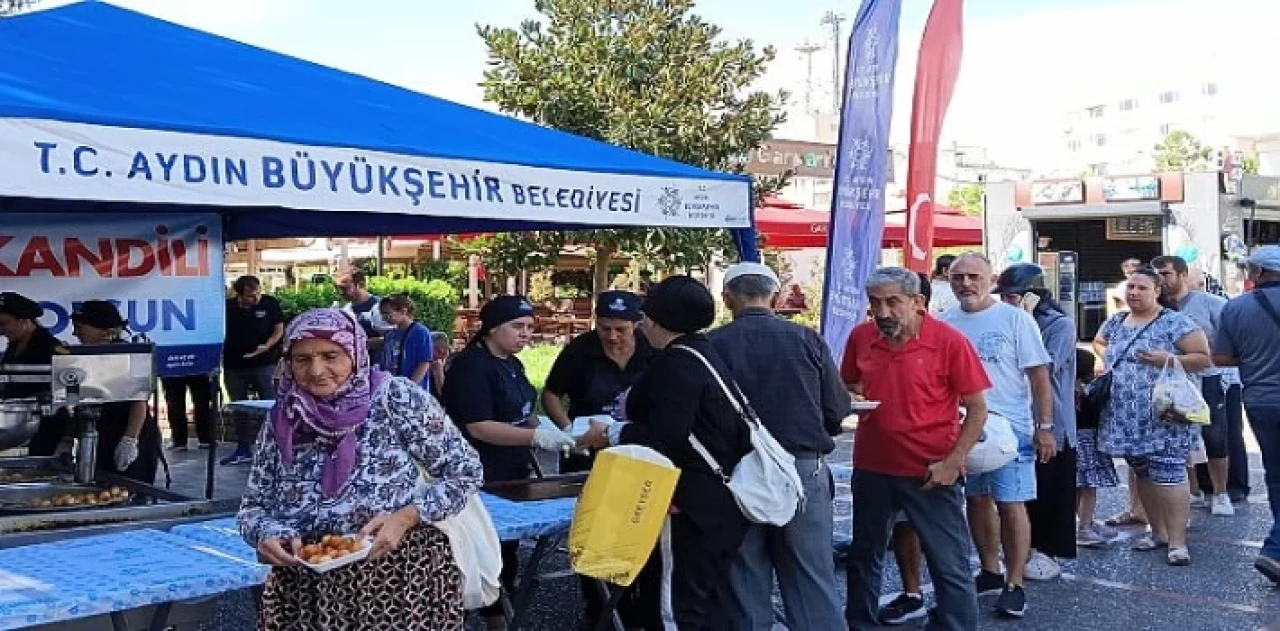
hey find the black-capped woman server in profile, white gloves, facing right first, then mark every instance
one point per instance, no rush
(490, 397)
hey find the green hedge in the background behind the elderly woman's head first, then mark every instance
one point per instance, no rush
(437, 301)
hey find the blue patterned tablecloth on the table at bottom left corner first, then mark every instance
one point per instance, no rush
(99, 575)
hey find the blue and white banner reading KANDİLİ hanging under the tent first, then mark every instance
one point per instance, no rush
(164, 275)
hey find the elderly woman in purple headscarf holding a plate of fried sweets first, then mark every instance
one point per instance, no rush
(342, 454)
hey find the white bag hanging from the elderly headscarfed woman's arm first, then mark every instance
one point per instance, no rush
(474, 542)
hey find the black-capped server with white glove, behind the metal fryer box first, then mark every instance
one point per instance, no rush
(129, 436)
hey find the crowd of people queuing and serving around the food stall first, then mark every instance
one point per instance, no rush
(378, 428)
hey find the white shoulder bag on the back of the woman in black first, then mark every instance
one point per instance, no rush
(765, 483)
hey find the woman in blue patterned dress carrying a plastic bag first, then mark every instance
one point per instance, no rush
(1156, 450)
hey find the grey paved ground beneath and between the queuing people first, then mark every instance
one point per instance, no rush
(1101, 589)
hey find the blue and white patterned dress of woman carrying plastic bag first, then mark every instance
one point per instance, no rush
(1130, 426)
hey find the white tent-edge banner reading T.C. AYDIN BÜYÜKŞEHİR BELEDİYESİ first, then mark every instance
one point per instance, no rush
(79, 162)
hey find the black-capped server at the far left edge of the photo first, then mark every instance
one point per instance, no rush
(33, 345)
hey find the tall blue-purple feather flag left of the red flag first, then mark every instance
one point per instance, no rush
(862, 170)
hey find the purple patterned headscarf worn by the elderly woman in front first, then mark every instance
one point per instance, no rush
(335, 420)
